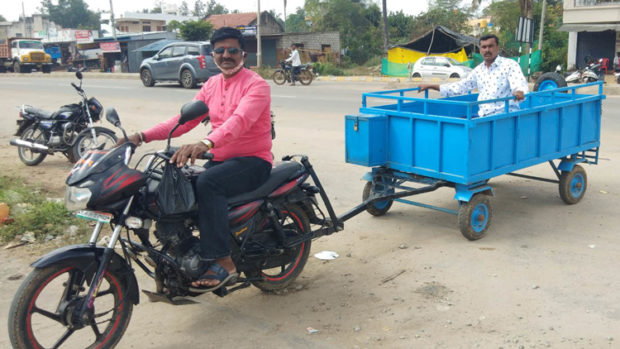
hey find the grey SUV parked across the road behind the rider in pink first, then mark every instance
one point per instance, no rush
(189, 63)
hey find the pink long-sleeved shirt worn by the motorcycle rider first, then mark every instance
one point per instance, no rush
(240, 111)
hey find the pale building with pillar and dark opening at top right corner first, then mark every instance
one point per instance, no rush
(594, 30)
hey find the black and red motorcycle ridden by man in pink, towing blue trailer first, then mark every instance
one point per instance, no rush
(95, 288)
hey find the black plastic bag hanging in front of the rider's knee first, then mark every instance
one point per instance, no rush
(175, 193)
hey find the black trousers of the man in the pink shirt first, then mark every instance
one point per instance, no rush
(214, 186)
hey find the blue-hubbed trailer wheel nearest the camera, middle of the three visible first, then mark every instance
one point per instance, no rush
(475, 217)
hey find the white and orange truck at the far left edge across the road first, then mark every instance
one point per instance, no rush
(21, 55)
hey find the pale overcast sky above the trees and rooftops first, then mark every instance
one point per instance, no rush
(11, 9)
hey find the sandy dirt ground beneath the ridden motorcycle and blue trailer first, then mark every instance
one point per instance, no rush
(546, 275)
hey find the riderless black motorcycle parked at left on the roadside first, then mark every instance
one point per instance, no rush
(70, 130)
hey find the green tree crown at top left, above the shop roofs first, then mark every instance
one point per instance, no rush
(71, 14)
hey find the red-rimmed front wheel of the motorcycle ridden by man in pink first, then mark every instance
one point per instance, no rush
(41, 312)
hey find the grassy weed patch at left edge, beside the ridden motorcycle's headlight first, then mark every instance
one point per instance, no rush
(33, 212)
